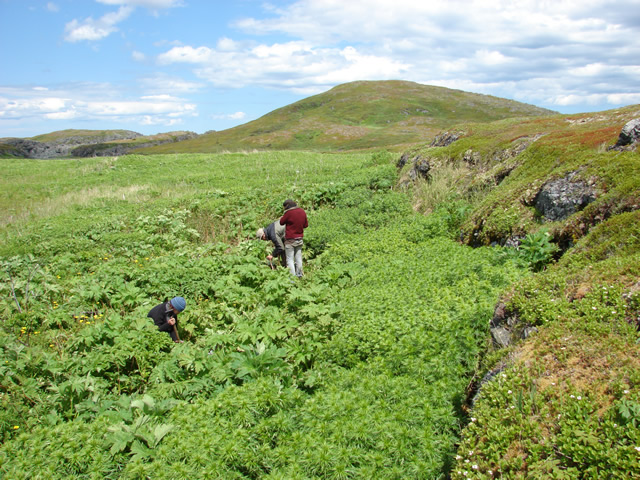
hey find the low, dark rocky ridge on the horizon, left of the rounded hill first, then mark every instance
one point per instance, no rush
(83, 143)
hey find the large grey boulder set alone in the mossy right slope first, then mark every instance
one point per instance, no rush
(561, 198)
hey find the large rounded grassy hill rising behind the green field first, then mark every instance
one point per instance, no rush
(358, 115)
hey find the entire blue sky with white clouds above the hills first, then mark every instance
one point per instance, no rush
(156, 66)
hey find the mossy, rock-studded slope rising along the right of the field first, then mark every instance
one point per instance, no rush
(564, 399)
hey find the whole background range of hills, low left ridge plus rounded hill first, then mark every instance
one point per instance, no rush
(394, 115)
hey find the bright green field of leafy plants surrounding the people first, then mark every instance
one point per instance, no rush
(327, 377)
